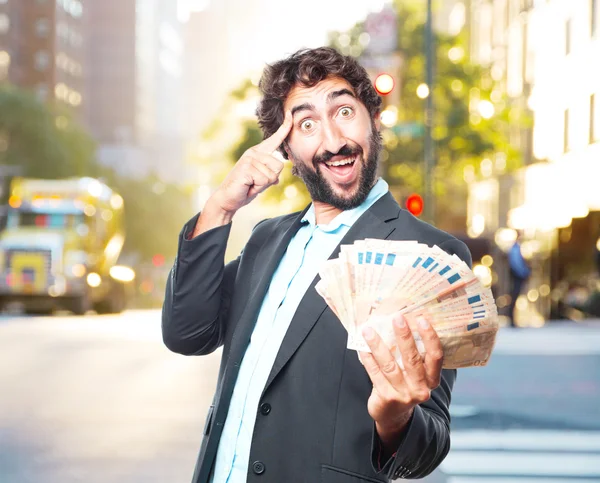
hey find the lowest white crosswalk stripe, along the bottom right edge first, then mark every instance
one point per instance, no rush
(499, 463)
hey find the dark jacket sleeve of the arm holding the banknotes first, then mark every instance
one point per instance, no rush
(426, 439)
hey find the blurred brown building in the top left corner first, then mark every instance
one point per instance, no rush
(42, 48)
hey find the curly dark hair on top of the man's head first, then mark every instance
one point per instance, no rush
(308, 67)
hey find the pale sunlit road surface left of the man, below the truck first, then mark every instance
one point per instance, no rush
(98, 399)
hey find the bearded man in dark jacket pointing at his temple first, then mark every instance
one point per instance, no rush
(292, 404)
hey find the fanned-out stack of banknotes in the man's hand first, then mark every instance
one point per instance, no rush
(374, 280)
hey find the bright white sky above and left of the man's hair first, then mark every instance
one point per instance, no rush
(244, 35)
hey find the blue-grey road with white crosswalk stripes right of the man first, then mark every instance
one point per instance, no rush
(531, 415)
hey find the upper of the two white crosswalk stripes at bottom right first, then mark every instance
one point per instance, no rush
(539, 440)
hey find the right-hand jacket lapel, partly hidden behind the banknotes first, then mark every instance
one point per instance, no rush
(372, 224)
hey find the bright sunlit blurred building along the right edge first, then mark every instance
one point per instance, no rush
(555, 199)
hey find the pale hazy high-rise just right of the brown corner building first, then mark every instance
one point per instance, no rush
(134, 55)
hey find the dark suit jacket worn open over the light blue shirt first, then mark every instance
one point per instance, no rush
(312, 424)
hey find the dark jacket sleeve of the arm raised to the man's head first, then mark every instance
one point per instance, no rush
(198, 292)
